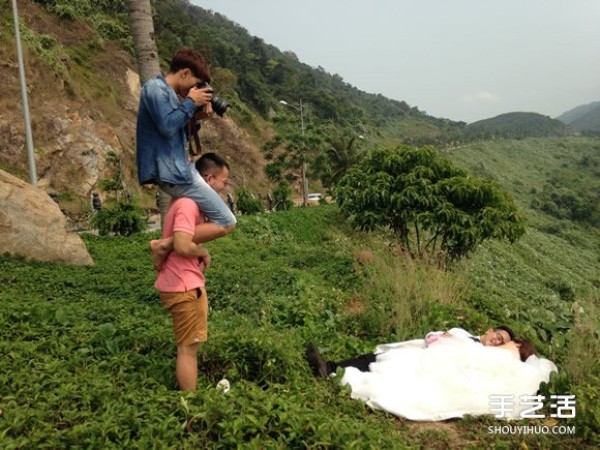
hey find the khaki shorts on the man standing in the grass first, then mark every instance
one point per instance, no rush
(189, 311)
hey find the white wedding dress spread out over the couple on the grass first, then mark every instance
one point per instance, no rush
(450, 378)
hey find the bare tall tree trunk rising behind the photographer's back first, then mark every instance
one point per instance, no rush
(141, 26)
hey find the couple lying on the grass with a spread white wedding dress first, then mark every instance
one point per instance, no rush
(453, 376)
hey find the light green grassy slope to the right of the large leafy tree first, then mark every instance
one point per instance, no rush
(555, 250)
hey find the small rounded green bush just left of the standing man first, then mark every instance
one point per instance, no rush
(122, 217)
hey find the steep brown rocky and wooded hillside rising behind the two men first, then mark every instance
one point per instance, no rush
(79, 59)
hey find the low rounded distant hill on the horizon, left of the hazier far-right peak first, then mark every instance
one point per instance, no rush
(517, 125)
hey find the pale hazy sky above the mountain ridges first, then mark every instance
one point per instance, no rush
(460, 59)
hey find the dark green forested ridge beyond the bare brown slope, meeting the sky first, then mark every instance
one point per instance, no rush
(259, 75)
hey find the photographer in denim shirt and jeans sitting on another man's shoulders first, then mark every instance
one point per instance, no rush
(166, 105)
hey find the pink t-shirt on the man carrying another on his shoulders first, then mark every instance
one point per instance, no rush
(180, 273)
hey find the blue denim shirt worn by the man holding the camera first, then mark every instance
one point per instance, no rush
(161, 134)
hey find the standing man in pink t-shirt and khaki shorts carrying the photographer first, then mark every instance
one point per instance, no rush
(180, 281)
